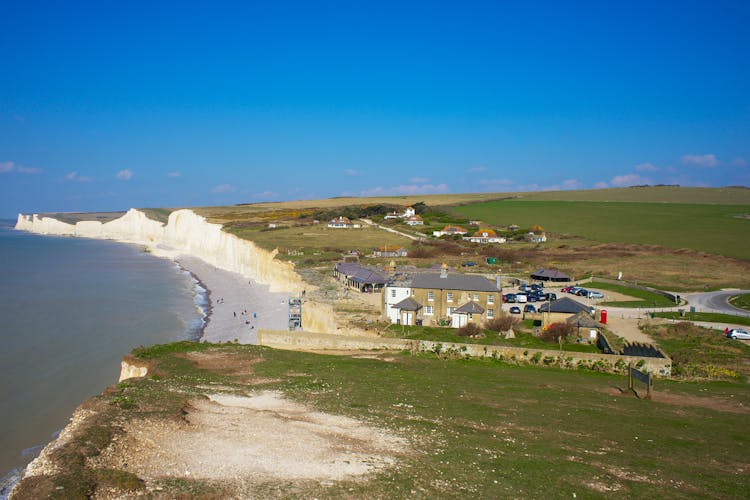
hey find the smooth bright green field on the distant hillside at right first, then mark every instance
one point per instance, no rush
(719, 229)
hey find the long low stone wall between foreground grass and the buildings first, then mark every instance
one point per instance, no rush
(322, 341)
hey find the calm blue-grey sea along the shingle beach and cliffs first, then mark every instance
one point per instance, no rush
(70, 308)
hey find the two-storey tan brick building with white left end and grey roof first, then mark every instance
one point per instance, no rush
(444, 298)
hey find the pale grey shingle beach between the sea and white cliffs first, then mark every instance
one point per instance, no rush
(238, 306)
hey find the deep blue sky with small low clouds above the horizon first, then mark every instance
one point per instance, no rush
(108, 105)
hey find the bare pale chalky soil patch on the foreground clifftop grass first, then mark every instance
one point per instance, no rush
(253, 438)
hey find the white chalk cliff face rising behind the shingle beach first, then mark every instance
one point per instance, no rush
(188, 233)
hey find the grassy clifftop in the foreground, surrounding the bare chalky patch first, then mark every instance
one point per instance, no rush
(476, 429)
